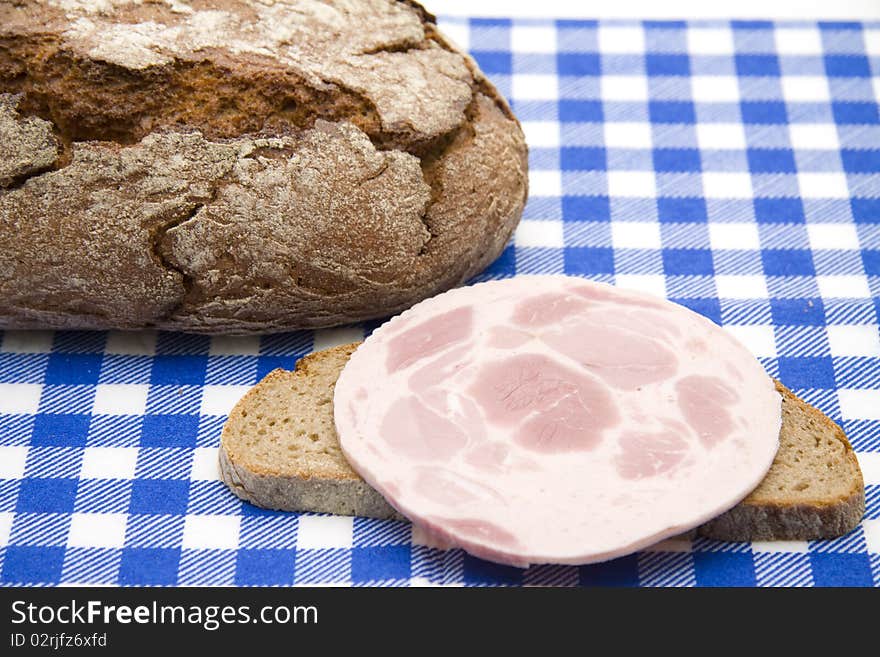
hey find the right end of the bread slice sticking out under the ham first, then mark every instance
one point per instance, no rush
(798, 501)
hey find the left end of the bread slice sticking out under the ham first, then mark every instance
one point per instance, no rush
(279, 448)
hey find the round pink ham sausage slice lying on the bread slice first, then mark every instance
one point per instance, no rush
(548, 419)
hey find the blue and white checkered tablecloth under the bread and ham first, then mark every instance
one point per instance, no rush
(731, 167)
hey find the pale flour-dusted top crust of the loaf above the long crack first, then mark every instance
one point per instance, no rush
(414, 83)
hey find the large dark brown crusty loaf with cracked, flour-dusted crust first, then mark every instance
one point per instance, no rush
(240, 166)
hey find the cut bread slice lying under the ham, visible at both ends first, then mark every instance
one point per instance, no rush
(279, 450)
